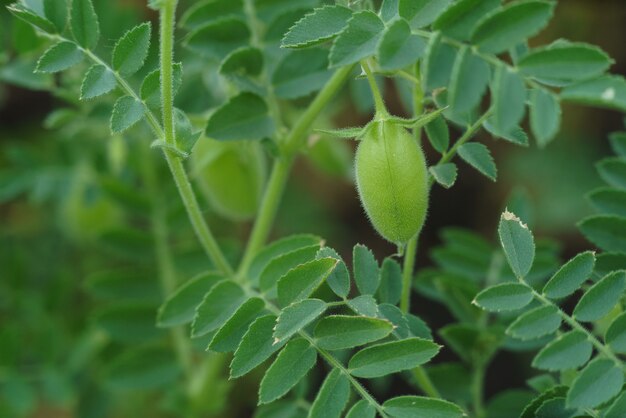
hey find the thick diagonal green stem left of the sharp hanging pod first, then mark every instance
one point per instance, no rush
(280, 171)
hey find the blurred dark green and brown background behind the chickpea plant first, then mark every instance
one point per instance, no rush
(74, 213)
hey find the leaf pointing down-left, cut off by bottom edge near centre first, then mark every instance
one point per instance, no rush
(332, 396)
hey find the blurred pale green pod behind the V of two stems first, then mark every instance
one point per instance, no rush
(230, 175)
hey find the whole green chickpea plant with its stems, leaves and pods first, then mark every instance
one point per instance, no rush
(293, 304)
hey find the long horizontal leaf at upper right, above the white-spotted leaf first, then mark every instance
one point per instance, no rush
(565, 61)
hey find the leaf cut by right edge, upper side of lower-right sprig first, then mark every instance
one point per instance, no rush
(601, 297)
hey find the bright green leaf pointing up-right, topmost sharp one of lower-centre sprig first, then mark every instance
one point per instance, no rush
(301, 281)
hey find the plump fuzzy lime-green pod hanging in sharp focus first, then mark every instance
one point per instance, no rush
(391, 177)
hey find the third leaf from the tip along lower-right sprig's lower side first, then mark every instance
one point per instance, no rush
(569, 351)
